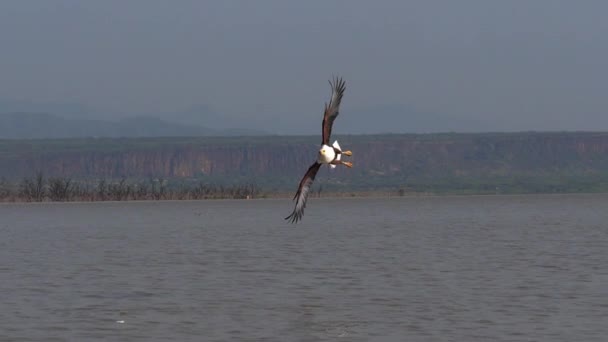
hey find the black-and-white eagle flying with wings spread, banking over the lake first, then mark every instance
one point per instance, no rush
(329, 155)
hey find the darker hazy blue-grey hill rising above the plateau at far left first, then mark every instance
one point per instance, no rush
(45, 126)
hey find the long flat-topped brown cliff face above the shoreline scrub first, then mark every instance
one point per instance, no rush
(378, 157)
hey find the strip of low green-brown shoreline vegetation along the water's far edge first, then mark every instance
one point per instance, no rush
(57, 189)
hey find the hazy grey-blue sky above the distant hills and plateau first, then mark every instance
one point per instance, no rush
(467, 65)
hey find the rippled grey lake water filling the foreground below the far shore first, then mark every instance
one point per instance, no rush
(494, 268)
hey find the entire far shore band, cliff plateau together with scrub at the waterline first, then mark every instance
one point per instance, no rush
(272, 166)
